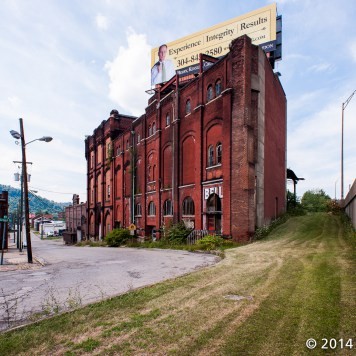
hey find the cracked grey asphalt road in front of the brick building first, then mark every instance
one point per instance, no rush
(74, 276)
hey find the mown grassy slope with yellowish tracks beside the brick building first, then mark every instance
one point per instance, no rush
(265, 298)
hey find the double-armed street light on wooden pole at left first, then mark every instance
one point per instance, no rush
(21, 136)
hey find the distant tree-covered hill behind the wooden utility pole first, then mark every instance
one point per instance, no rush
(37, 203)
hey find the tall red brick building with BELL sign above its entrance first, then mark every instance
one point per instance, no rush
(210, 150)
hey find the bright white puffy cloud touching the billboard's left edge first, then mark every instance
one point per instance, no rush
(129, 74)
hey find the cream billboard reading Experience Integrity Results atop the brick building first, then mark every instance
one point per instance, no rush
(183, 55)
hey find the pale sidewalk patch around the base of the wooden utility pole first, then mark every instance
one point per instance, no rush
(16, 260)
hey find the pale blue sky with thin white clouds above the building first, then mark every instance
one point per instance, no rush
(65, 64)
